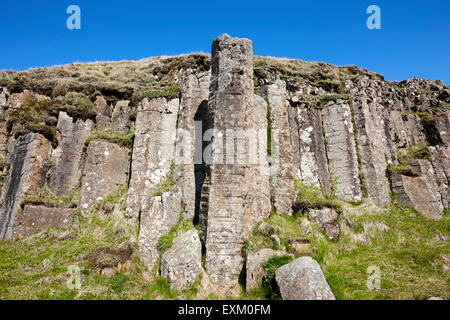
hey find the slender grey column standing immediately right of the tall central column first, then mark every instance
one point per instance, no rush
(282, 160)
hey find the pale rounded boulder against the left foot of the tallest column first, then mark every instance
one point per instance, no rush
(182, 263)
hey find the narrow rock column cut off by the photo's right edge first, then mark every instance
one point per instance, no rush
(441, 163)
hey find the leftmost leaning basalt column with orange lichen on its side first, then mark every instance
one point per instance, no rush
(28, 167)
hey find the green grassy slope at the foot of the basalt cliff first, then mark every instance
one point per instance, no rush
(411, 251)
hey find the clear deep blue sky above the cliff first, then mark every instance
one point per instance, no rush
(414, 39)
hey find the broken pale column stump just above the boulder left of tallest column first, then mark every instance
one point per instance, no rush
(158, 216)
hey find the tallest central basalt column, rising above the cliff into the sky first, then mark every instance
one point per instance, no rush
(236, 195)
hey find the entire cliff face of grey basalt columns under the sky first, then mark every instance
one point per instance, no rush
(220, 141)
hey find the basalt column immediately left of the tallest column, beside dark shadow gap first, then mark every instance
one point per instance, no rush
(189, 146)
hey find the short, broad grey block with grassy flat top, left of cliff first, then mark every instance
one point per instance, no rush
(106, 169)
